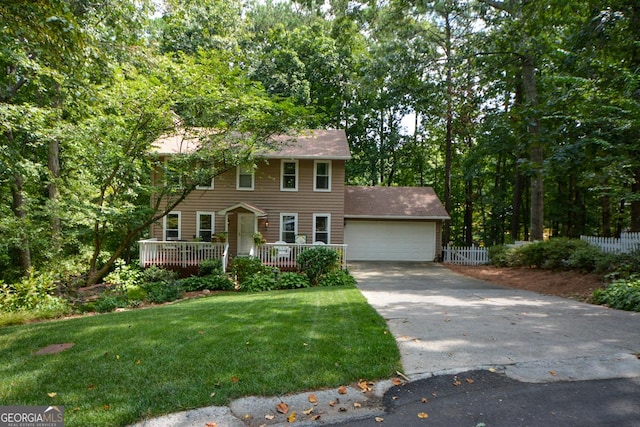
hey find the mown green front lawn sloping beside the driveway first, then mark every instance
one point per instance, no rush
(130, 365)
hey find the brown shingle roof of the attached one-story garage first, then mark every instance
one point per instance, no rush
(393, 203)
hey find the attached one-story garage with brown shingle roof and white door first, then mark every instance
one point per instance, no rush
(393, 223)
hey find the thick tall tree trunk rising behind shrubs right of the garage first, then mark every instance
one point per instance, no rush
(536, 152)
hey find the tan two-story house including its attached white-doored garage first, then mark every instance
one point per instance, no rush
(297, 195)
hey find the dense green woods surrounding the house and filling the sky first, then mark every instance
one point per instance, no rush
(523, 115)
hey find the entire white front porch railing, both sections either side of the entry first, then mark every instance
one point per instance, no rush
(186, 256)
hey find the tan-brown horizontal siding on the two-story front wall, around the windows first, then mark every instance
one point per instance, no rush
(268, 197)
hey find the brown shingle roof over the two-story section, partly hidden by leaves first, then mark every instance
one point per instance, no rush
(311, 144)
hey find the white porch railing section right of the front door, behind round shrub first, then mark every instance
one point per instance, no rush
(284, 255)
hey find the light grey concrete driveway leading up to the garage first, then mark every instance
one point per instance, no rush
(445, 322)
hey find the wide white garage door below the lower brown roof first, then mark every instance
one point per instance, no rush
(390, 240)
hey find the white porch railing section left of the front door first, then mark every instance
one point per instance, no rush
(181, 254)
